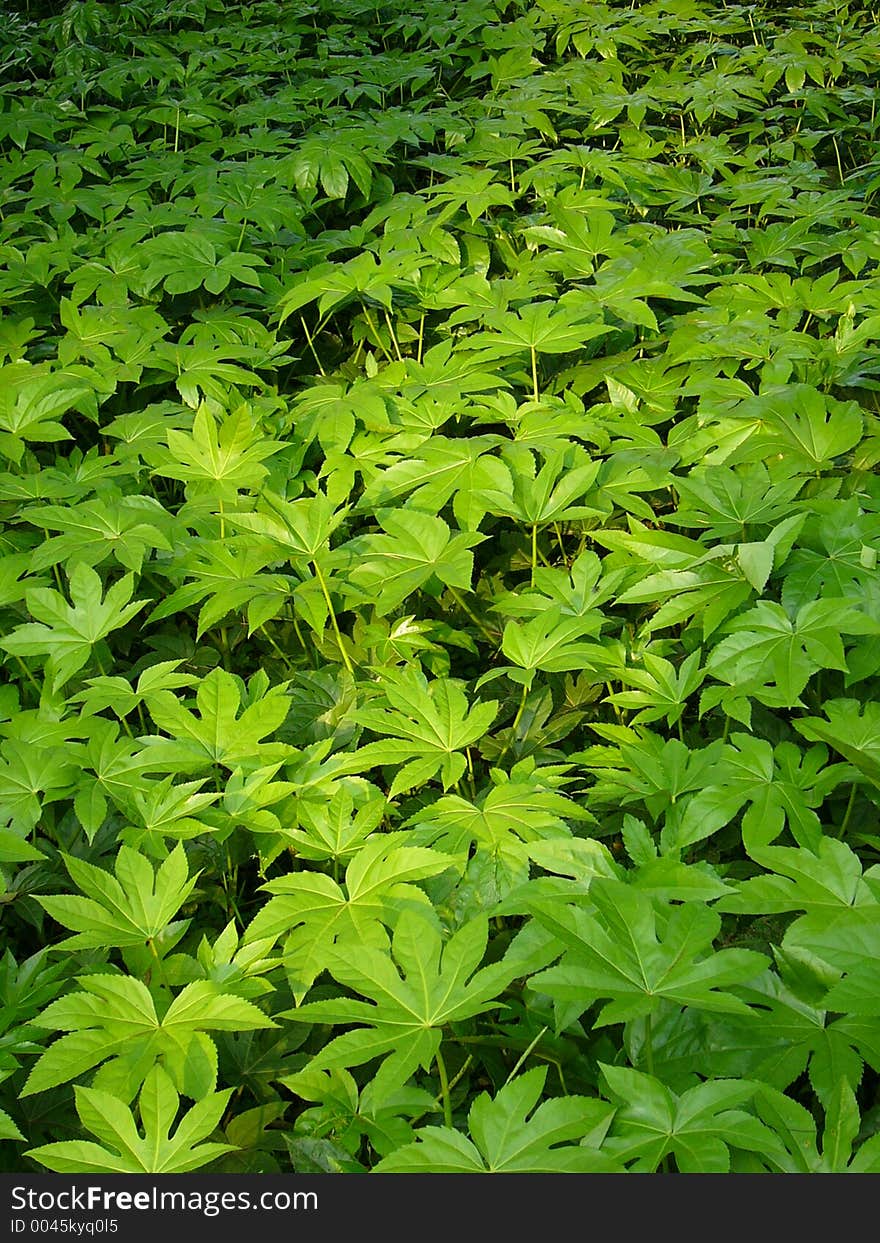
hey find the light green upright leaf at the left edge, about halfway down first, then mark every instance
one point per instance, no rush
(68, 633)
